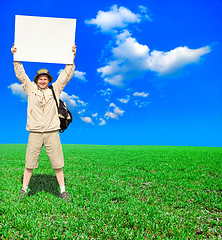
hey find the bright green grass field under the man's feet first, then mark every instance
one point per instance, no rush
(117, 192)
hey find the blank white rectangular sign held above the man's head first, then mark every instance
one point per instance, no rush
(44, 39)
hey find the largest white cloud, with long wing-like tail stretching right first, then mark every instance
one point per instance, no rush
(130, 58)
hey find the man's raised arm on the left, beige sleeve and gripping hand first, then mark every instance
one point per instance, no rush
(20, 72)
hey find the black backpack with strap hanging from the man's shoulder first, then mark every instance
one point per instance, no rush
(65, 115)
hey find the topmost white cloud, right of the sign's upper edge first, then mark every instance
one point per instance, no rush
(114, 19)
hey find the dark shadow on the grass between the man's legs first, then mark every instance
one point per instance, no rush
(43, 182)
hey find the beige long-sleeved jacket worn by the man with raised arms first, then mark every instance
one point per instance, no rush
(42, 113)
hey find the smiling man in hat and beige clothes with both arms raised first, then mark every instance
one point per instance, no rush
(43, 121)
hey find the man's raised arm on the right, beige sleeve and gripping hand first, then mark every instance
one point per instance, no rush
(66, 74)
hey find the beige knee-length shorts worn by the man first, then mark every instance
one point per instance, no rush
(53, 148)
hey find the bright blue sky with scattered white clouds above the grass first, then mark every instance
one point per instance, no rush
(147, 72)
